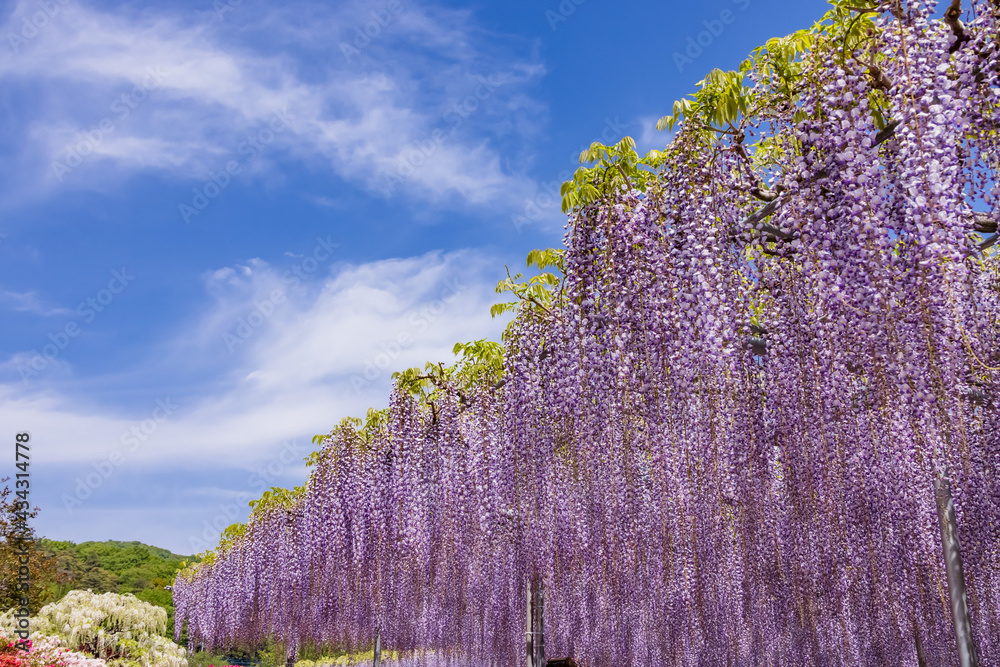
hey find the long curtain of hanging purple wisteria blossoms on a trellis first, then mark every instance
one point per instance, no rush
(718, 445)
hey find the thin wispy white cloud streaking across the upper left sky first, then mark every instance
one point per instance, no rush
(182, 95)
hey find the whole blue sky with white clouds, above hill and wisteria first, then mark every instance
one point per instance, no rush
(224, 223)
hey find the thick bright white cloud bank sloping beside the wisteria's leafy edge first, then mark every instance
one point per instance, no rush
(326, 351)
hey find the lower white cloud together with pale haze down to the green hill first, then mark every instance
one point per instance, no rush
(326, 351)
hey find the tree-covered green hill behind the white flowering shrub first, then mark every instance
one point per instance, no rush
(117, 567)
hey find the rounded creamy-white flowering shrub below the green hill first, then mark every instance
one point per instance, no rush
(120, 629)
